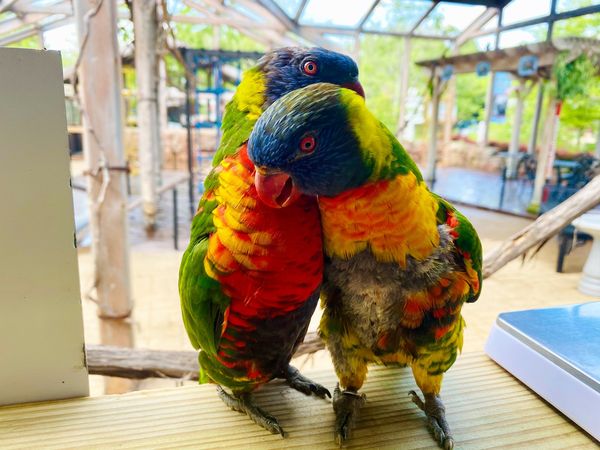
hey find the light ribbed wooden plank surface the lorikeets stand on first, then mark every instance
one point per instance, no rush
(486, 407)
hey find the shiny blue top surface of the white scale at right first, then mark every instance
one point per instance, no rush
(569, 335)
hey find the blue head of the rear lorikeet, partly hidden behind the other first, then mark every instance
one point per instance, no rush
(290, 68)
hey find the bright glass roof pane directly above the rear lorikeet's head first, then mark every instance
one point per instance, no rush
(342, 13)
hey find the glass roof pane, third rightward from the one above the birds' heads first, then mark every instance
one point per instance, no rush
(450, 18)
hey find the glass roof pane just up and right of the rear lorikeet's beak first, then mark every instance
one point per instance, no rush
(397, 15)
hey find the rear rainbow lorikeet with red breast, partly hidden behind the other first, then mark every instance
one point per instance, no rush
(249, 280)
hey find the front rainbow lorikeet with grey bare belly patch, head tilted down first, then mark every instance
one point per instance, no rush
(400, 260)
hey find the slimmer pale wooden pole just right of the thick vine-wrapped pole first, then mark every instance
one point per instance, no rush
(145, 20)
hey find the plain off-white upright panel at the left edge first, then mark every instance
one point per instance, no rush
(41, 330)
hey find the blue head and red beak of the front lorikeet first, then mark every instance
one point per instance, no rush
(307, 142)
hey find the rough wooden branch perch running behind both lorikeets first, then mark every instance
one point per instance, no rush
(138, 363)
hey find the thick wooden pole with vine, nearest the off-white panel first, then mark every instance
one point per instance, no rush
(99, 67)
